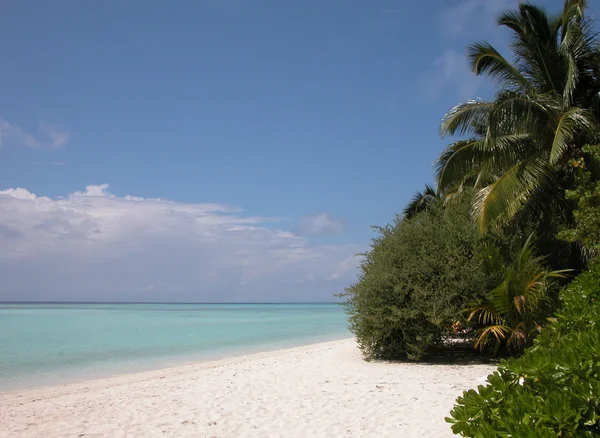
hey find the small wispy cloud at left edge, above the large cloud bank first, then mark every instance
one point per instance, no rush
(49, 136)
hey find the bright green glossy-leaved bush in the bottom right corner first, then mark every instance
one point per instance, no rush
(554, 388)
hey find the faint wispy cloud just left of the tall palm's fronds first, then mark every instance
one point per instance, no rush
(450, 72)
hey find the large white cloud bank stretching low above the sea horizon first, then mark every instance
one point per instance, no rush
(93, 245)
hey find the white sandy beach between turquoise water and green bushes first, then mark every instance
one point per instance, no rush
(321, 390)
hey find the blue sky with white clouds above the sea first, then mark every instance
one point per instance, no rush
(218, 150)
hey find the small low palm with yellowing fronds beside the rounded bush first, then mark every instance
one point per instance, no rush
(515, 310)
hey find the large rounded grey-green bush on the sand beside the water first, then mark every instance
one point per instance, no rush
(415, 281)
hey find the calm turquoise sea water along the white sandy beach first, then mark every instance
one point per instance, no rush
(42, 344)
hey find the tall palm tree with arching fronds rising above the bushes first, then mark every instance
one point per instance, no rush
(520, 144)
